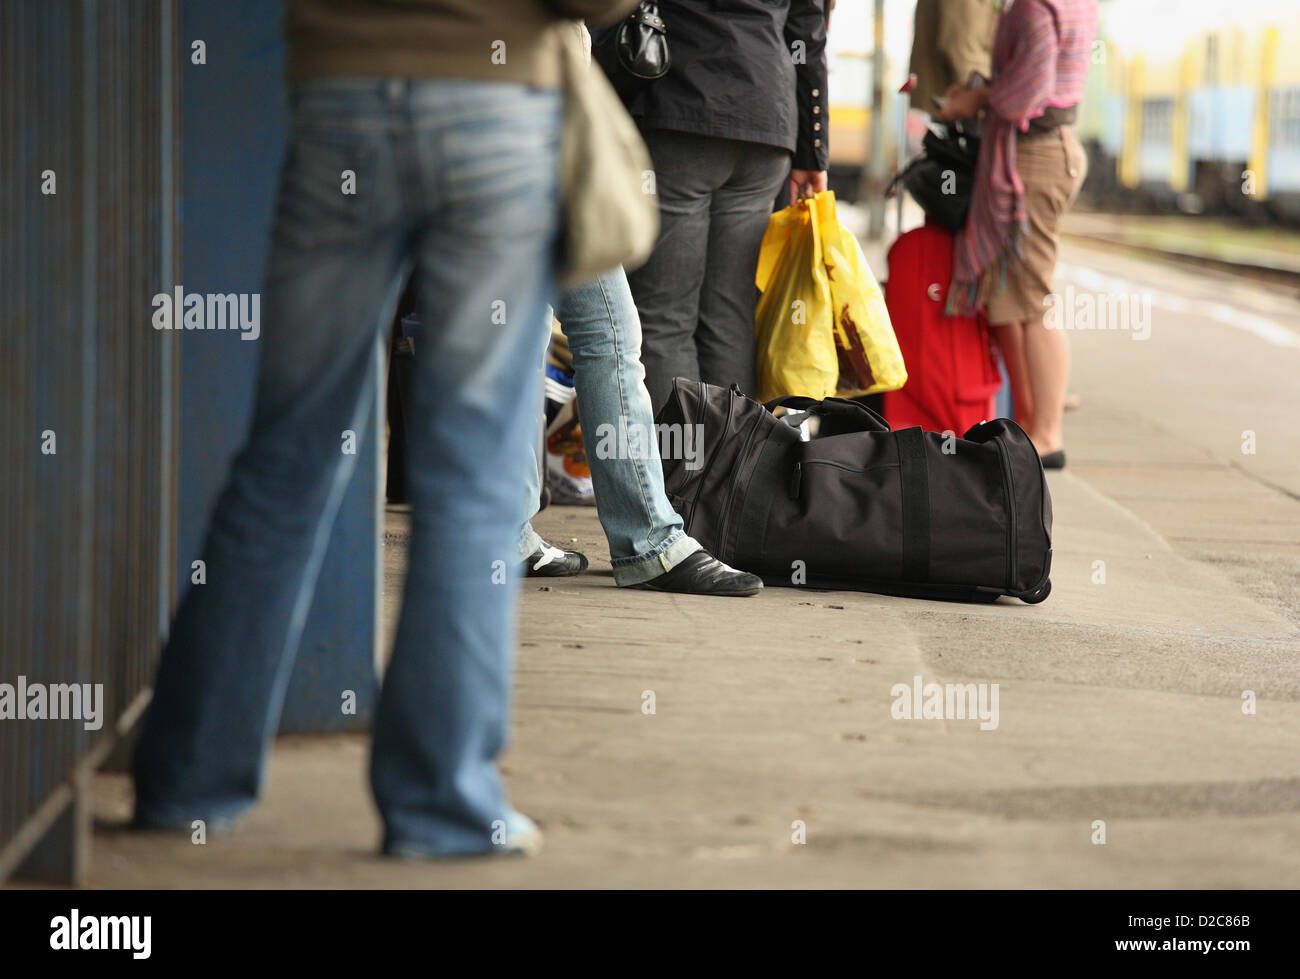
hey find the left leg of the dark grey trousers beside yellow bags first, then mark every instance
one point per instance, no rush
(666, 289)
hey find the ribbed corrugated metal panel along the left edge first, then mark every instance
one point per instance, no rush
(88, 93)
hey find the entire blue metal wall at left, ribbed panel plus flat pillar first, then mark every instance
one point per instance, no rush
(98, 535)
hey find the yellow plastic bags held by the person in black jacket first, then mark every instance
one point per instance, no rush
(822, 323)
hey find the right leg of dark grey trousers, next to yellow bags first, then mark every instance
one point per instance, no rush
(738, 219)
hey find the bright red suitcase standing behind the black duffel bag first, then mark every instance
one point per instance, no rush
(952, 370)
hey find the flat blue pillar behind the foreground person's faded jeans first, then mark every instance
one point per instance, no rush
(233, 123)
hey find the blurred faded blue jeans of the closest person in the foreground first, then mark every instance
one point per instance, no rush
(458, 181)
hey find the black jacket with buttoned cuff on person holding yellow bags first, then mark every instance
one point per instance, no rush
(744, 70)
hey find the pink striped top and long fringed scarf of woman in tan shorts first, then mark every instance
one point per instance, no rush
(1041, 59)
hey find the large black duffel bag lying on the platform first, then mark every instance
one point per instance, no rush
(859, 506)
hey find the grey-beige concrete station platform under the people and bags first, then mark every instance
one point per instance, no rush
(1120, 703)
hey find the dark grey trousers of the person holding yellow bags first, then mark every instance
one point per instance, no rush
(697, 293)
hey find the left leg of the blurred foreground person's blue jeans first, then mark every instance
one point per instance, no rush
(335, 267)
